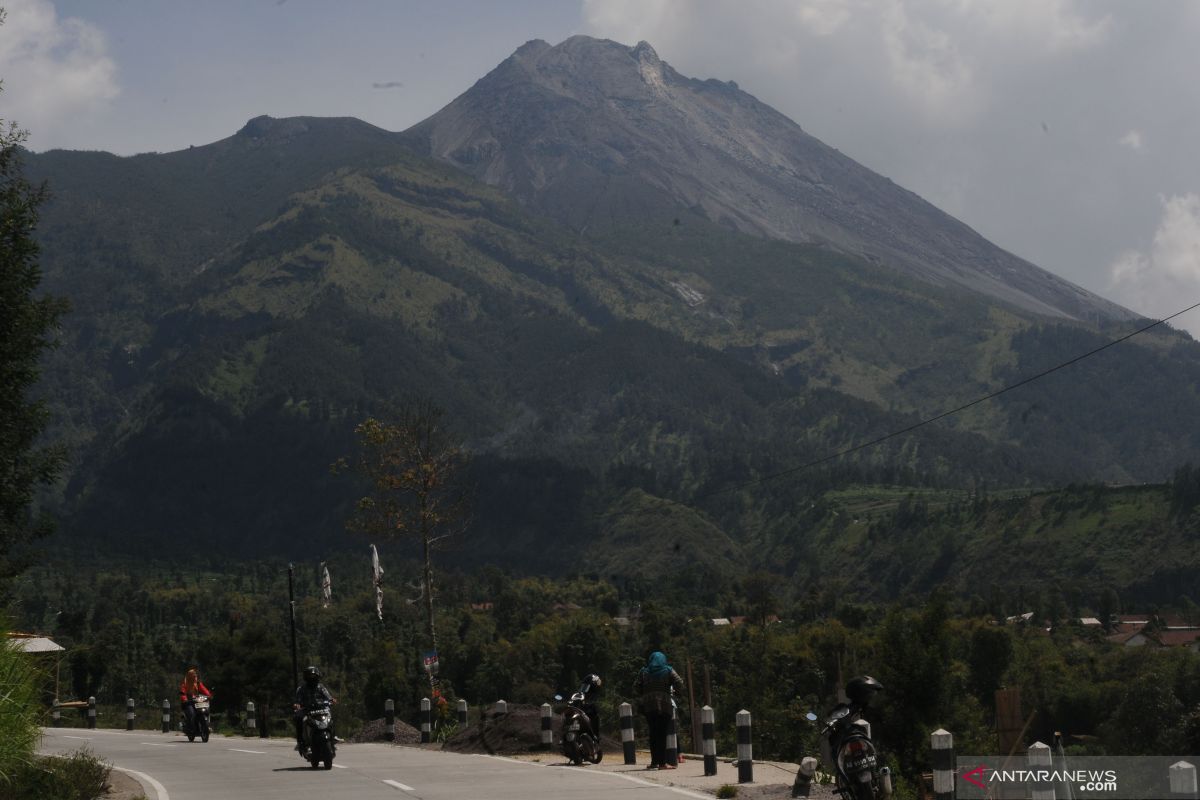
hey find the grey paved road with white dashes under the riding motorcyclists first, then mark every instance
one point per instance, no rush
(257, 769)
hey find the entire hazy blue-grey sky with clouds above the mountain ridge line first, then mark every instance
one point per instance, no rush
(1064, 131)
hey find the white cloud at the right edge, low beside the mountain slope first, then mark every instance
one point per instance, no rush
(1161, 282)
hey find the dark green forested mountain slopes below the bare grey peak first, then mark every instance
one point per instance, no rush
(241, 306)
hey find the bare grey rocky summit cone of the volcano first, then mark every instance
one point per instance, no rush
(598, 135)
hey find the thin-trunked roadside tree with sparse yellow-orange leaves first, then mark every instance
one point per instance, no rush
(416, 468)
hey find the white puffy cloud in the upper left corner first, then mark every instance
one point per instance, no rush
(52, 69)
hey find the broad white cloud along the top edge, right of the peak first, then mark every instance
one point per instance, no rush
(933, 52)
